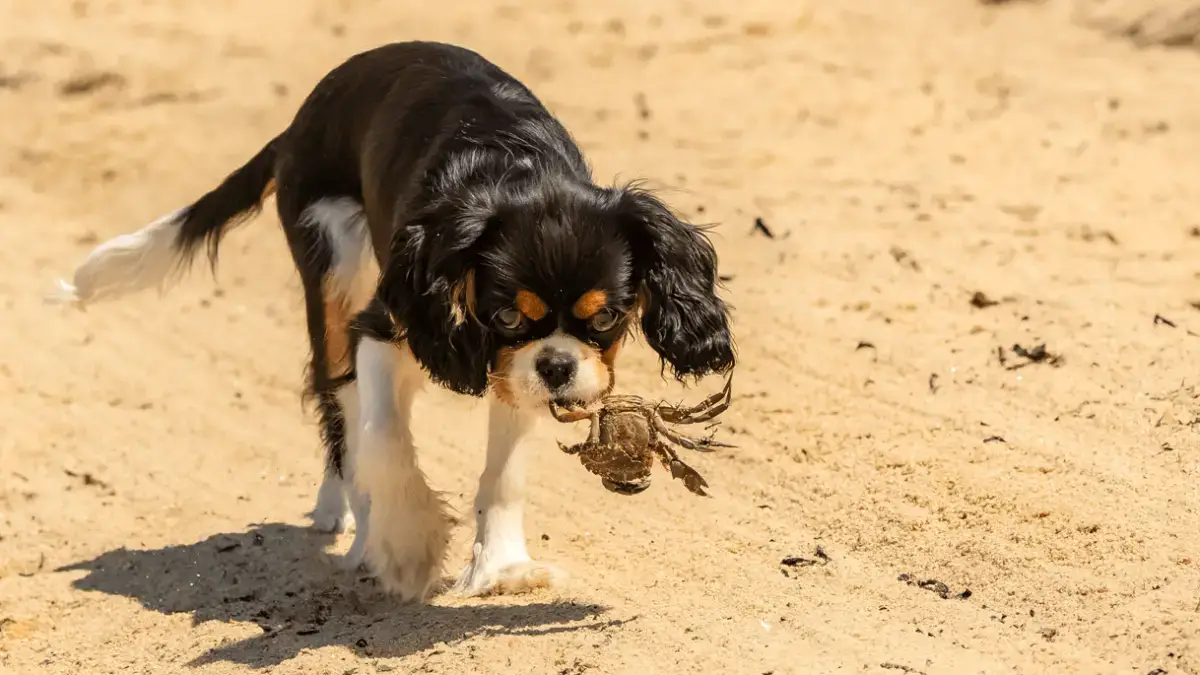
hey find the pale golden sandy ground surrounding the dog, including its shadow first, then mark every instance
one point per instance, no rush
(157, 464)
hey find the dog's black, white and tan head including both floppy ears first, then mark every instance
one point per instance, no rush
(532, 291)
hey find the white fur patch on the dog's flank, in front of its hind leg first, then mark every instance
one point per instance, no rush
(355, 272)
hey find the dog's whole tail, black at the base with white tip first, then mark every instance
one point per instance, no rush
(160, 254)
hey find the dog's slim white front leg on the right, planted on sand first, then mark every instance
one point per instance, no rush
(501, 563)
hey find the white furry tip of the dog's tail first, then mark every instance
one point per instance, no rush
(125, 265)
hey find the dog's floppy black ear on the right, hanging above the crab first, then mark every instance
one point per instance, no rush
(683, 319)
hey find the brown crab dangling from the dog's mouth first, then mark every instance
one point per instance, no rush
(629, 433)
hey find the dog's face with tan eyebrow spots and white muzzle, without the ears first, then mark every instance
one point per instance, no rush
(557, 292)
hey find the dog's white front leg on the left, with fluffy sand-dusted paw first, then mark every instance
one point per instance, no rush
(409, 524)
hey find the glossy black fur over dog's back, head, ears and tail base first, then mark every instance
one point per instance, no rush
(472, 190)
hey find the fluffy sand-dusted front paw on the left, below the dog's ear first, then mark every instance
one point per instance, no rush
(406, 543)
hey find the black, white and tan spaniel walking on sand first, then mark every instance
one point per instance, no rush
(446, 229)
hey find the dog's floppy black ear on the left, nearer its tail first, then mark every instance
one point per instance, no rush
(429, 289)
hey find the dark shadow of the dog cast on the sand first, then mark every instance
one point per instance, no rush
(279, 578)
